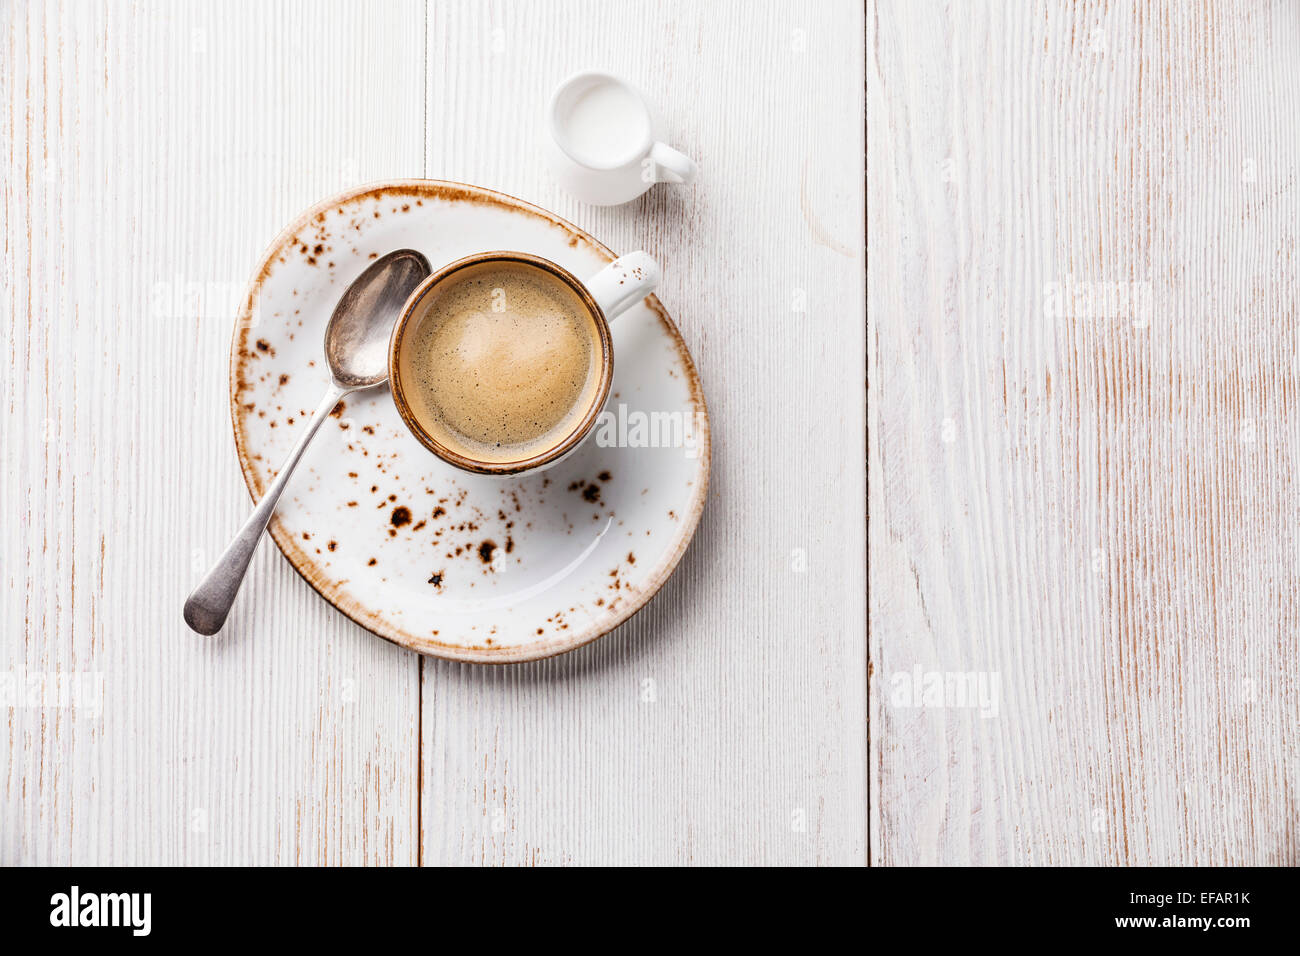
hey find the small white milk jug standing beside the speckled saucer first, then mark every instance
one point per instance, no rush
(604, 141)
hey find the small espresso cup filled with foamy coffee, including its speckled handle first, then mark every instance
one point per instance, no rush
(502, 362)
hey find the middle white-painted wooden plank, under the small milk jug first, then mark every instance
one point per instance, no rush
(726, 723)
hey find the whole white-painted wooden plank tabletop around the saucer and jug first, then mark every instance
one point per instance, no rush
(1084, 438)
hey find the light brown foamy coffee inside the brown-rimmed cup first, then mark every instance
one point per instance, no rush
(504, 362)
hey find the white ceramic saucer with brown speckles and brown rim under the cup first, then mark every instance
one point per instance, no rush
(436, 560)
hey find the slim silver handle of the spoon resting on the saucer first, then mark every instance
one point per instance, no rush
(209, 604)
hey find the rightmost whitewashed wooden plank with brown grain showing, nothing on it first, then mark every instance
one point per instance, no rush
(1094, 501)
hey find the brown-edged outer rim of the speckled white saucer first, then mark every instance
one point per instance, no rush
(301, 563)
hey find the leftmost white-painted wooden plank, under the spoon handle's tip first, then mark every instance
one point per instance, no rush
(151, 153)
